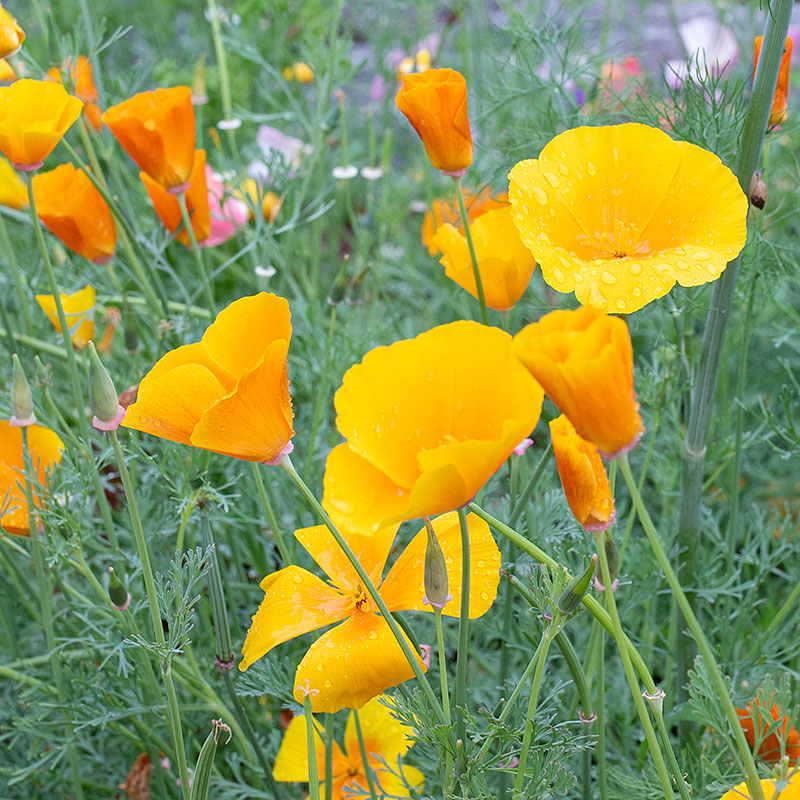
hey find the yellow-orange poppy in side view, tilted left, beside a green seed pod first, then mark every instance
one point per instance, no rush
(229, 392)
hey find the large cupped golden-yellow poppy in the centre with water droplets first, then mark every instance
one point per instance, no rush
(427, 421)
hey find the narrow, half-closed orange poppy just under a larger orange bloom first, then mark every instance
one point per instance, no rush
(583, 476)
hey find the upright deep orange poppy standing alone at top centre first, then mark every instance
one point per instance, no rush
(435, 103)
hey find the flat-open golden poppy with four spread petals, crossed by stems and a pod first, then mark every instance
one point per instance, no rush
(360, 657)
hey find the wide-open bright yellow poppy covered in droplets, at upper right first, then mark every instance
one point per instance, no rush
(619, 214)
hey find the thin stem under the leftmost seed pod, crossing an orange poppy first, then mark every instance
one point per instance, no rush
(45, 603)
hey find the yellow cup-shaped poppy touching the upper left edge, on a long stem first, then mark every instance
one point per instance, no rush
(34, 115)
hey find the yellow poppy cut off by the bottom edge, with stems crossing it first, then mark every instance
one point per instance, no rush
(386, 740)
